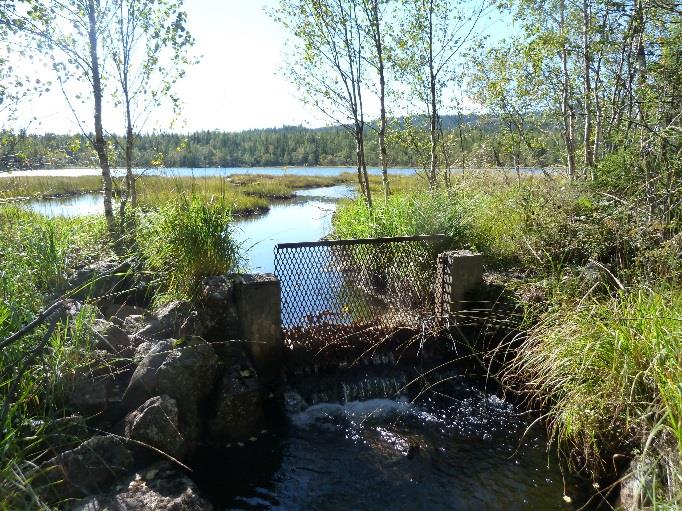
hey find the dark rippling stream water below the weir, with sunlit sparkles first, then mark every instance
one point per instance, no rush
(470, 450)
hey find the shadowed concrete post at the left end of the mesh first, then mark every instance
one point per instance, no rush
(259, 310)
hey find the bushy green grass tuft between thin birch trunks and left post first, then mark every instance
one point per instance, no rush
(182, 242)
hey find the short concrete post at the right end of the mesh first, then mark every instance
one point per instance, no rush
(457, 273)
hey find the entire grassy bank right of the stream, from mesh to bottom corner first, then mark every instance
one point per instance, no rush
(599, 284)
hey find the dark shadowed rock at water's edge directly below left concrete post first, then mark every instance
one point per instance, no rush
(239, 408)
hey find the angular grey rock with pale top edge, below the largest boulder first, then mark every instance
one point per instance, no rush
(156, 423)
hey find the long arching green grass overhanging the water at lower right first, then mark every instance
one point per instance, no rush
(608, 371)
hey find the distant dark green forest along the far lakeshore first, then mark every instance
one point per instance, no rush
(479, 147)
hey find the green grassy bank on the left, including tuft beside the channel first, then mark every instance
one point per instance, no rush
(177, 244)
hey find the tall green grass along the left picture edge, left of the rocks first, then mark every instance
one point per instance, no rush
(35, 257)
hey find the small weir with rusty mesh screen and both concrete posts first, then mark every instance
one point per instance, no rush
(338, 317)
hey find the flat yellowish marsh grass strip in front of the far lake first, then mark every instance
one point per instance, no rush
(245, 193)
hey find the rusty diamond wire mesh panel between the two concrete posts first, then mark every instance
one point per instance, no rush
(336, 287)
